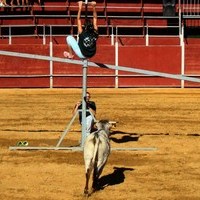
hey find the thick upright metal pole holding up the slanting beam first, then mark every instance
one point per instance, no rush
(84, 91)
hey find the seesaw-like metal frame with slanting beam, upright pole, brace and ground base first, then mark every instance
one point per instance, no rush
(85, 64)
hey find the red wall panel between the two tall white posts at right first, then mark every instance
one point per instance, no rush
(155, 58)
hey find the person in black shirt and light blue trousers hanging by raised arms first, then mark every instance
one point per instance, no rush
(85, 46)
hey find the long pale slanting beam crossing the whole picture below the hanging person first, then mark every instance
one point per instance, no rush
(101, 65)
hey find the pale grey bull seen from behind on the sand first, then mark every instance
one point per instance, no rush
(96, 151)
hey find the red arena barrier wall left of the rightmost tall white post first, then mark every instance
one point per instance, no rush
(156, 58)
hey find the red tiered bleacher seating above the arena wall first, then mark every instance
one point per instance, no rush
(128, 18)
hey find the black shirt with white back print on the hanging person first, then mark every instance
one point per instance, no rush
(87, 43)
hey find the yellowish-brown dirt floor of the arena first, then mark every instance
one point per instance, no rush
(165, 119)
